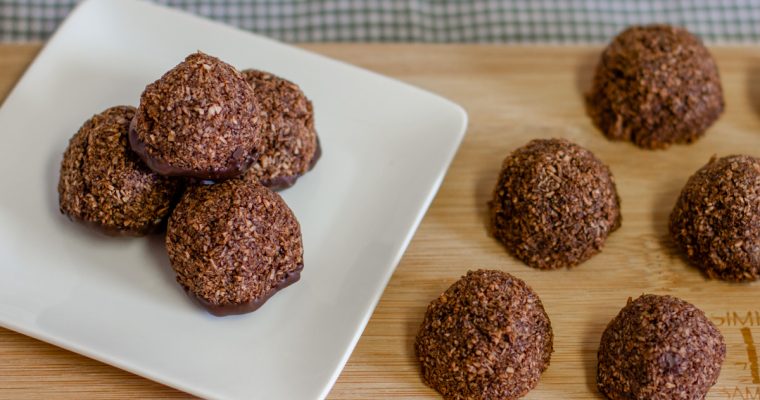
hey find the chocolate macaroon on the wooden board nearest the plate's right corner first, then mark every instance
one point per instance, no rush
(554, 204)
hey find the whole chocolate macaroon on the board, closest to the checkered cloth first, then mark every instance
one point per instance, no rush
(655, 85)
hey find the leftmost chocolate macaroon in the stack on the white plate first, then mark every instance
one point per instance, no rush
(104, 184)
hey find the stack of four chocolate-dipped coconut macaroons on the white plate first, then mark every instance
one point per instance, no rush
(202, 151)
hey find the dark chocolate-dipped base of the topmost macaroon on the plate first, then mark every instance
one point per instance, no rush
(242, 162)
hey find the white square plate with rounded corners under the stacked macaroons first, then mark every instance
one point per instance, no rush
(386, 146)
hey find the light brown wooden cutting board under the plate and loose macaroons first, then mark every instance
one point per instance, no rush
(512, 94)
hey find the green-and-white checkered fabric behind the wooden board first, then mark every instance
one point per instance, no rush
(516, 21)
